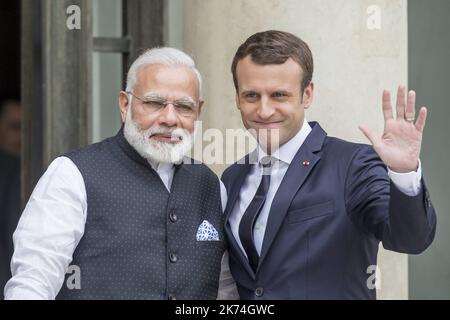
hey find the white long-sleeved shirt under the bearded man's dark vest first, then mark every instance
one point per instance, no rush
(52, 225)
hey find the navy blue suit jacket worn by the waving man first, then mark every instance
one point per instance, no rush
(325, 223)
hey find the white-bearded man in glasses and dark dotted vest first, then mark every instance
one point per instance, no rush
(131, 217)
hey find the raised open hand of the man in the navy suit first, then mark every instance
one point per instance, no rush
(399, 147)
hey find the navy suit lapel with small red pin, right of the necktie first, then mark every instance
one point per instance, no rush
(301, 166)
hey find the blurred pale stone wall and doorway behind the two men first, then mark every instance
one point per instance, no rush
(63, 63)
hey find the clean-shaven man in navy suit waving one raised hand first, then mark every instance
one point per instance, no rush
(306, 212)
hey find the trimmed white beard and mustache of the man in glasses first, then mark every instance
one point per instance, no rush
(157, 151)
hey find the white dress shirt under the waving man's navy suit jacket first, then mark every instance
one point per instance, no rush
(408, 183)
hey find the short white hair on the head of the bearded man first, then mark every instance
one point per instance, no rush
(166, 56)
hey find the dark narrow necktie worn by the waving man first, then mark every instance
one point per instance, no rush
(251, 214)
